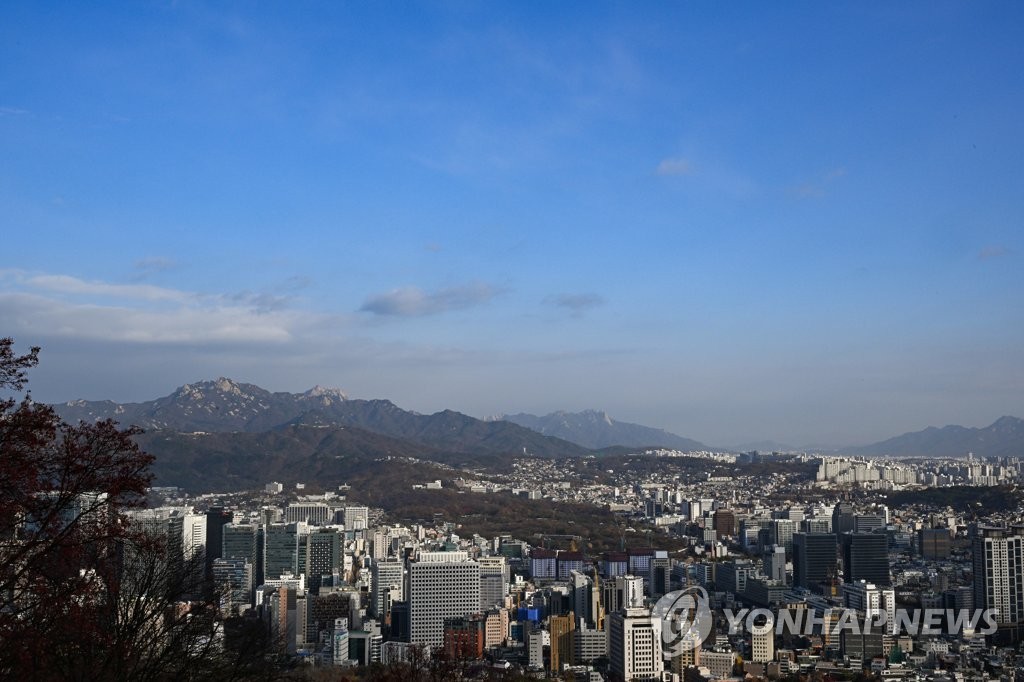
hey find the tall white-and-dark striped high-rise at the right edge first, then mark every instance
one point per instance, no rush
(999, 573)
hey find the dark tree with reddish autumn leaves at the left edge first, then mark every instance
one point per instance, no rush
(64, 491)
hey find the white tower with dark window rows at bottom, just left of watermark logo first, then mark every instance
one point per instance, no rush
(634, 647)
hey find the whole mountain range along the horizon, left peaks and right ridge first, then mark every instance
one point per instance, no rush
(225, 407)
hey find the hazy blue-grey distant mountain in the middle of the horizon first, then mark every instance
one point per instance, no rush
(592, 429)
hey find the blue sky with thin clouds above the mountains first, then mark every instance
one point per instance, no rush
(796, 222)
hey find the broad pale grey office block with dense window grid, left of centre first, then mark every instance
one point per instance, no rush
(442, 585)
